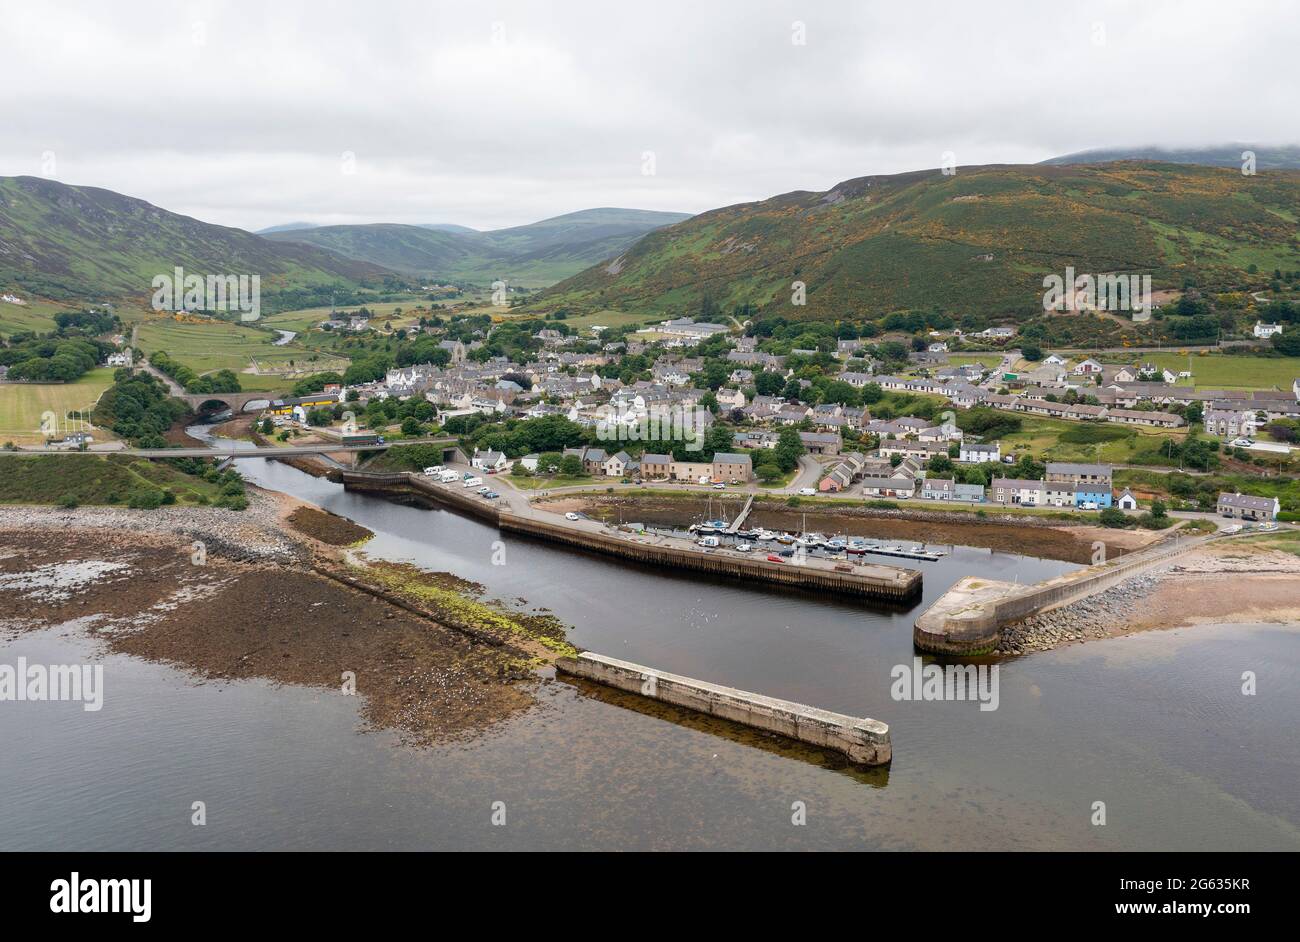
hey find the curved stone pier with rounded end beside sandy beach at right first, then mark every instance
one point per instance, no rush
(969, 618)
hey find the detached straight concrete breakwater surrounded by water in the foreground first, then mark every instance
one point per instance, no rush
(865, 743)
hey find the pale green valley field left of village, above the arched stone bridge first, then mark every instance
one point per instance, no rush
(219, 345)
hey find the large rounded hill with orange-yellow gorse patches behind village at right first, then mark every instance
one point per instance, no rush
(981, 241)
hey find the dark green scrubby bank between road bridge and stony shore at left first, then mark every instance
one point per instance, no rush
(93, 480)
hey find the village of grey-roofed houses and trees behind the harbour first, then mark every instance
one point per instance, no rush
(674, 429)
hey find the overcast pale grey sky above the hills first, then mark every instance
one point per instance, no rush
(501, 114)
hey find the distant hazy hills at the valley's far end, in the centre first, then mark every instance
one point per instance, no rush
(536, 255)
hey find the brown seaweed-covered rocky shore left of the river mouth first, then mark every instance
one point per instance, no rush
(276, 601)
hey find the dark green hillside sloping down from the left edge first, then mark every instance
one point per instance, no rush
(68, 242)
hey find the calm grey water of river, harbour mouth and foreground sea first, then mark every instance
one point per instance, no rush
(1155, 726)
